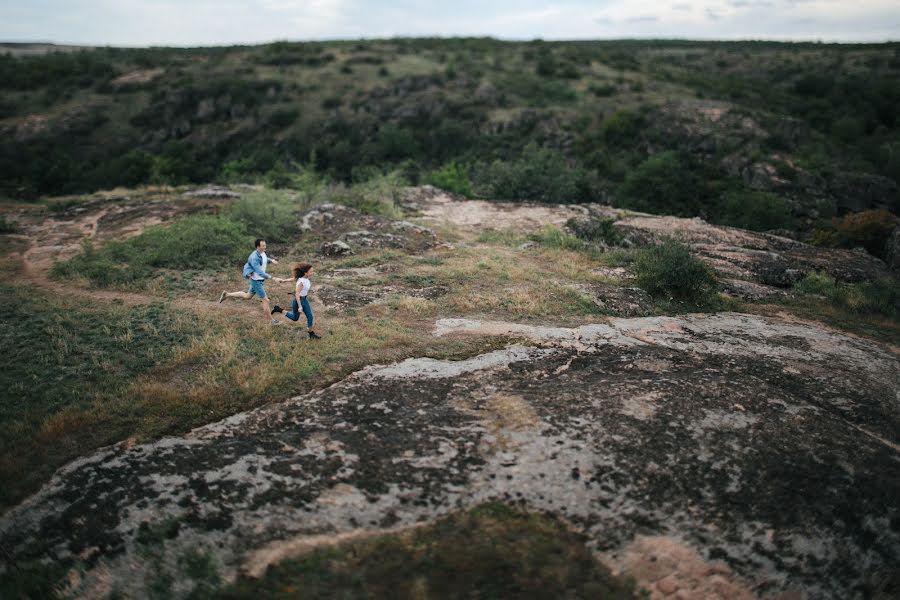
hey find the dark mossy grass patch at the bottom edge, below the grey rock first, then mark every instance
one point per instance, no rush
(491, 551)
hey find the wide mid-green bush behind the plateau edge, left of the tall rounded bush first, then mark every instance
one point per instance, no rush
(539, 174)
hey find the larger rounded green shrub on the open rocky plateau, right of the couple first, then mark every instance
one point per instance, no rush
(668, 270)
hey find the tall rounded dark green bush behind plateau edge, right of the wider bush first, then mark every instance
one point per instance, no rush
(663, 184)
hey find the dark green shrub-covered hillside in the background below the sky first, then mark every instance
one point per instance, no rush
(561, 121)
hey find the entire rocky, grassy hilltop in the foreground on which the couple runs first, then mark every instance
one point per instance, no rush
(549, 397)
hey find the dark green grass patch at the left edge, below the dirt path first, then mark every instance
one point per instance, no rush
(62, 358)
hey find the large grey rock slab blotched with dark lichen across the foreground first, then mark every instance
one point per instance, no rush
(768, 447)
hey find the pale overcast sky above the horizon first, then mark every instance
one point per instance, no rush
(215, 22)
